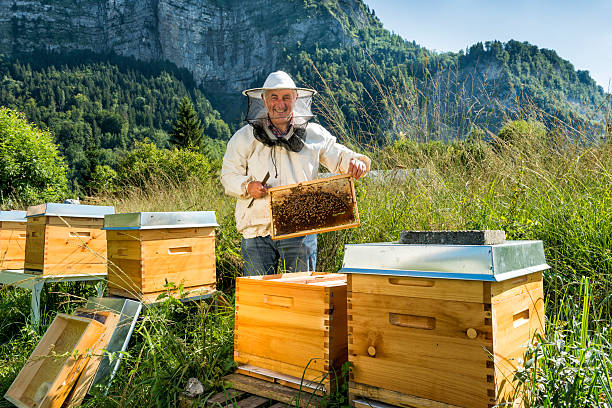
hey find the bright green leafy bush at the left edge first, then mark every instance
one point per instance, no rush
(31, 169)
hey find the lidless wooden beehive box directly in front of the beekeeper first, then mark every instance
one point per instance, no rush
(291, 326)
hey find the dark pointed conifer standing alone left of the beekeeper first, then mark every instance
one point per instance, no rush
(187, 131)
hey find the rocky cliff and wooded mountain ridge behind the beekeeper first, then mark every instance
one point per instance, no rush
(339, 46)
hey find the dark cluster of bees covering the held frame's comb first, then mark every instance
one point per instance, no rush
(307, 209)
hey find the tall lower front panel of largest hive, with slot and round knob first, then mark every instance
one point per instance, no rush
(420, 347)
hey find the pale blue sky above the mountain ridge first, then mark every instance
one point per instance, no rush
(579, 31)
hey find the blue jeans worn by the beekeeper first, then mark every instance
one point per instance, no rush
(262, 255)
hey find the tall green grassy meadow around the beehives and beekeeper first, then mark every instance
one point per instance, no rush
(533, 181)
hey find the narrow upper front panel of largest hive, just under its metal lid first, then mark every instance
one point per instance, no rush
(426, 288)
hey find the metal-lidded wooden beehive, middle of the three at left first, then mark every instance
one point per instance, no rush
(66, 239)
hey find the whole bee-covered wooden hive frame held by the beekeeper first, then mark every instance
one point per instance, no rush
(312, 207)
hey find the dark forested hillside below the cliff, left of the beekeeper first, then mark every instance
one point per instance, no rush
(99, 106)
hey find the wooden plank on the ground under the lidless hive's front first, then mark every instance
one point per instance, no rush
(272, 391)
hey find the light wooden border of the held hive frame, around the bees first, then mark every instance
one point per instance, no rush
(329, 183)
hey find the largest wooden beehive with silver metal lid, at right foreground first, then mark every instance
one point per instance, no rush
(453, 337)
